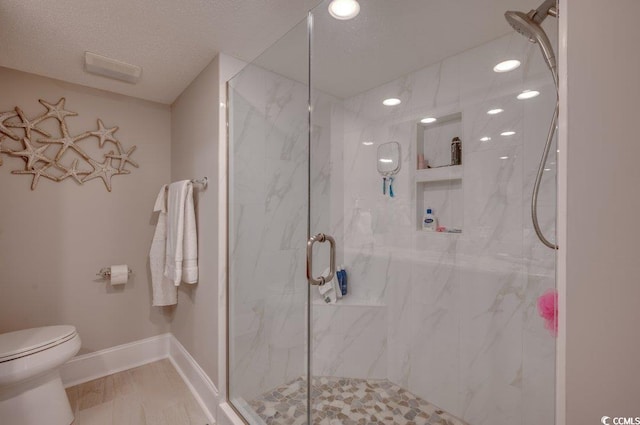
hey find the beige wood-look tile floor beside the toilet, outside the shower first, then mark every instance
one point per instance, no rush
(153, 394)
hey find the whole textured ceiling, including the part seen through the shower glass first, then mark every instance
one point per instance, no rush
(174, 40)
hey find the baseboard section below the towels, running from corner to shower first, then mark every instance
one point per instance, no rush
(202, 388)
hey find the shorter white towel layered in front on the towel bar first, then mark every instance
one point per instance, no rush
(181, 256)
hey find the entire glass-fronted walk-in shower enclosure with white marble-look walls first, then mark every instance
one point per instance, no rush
(435, 327)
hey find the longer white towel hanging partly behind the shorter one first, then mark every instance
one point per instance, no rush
(164, 291)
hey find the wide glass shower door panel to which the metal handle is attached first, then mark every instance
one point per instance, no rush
(435, 325)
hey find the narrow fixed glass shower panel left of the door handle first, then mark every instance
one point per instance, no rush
(268, 215)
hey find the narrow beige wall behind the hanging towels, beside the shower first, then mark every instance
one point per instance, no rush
(194, 154)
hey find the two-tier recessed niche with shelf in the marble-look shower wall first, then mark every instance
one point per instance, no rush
(440, 187)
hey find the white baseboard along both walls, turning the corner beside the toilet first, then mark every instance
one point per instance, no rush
(88, 367)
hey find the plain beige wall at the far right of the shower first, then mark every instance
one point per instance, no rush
(602, 238)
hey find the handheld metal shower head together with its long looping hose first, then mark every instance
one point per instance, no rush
(529, 25)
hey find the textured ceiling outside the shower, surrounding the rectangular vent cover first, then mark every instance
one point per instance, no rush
(172, 40)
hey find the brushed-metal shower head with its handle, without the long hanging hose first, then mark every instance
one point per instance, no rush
(529, 25)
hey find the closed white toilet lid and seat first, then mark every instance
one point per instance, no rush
(29, 341)
